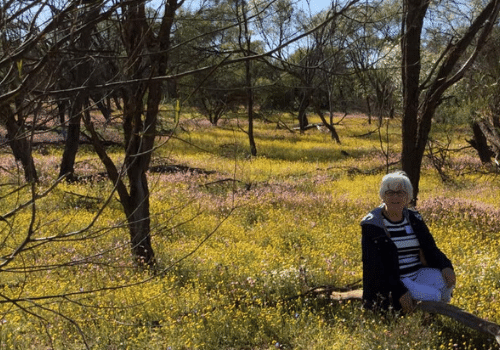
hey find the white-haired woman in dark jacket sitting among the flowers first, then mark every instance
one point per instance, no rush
(401, 262)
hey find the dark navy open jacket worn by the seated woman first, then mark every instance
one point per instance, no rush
(382, 286)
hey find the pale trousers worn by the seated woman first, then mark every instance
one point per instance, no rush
(428, 285)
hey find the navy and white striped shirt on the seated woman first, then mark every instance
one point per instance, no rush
(408, 246)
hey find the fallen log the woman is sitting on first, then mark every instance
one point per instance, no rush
(435, 307)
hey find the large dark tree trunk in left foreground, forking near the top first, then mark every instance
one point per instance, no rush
(139, 124)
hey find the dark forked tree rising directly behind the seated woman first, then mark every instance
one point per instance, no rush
(422, 96)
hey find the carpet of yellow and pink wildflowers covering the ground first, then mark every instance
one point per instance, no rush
(238, 245)
